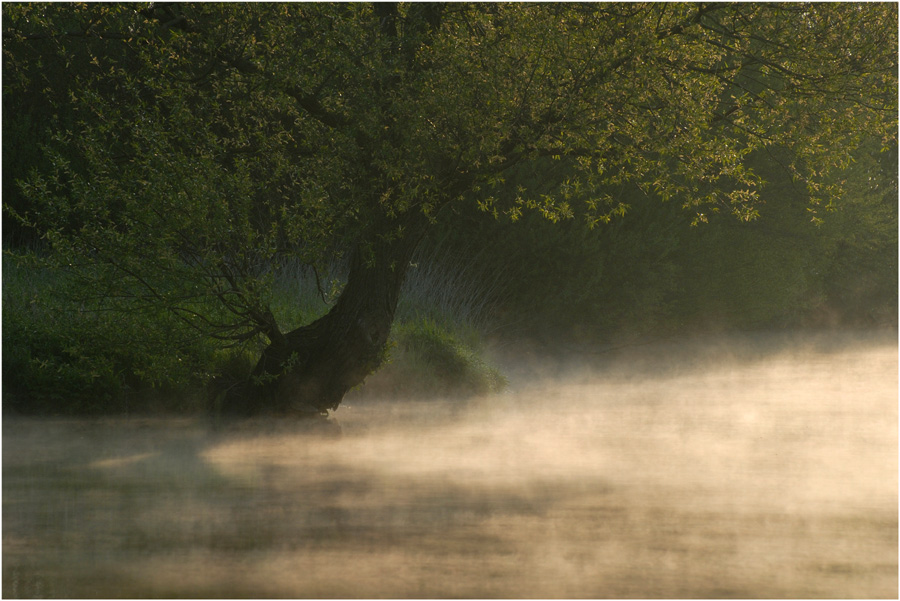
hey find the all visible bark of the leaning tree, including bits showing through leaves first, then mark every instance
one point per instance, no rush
(310, 369)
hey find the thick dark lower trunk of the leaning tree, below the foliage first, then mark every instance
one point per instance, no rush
(310, 369)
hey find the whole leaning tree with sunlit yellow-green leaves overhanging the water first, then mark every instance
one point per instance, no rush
(195, 147)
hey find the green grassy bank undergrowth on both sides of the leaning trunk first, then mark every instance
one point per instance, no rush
(66, 356)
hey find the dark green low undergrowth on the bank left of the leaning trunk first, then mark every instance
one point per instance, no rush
(65, 356)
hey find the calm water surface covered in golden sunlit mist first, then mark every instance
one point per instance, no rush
(742, 467)
